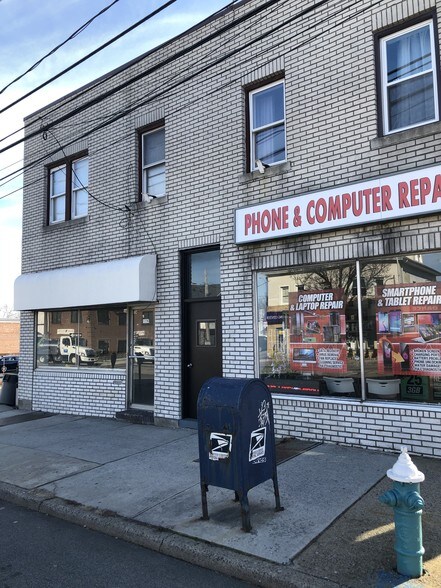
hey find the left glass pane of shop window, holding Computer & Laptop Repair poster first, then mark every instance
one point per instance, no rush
(306, 343)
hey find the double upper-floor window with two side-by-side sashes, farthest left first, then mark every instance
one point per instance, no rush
(68, 194)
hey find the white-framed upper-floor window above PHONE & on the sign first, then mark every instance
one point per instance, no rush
(267, 125)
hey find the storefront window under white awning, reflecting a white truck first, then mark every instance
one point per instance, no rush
(86, 337)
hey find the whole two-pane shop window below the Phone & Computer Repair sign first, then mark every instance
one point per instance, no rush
(370, 330)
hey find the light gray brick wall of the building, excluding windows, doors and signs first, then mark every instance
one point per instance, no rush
(328, 62)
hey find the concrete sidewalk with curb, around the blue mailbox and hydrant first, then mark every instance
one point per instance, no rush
(141, 483)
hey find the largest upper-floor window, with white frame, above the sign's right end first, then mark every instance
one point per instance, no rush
(409, 92)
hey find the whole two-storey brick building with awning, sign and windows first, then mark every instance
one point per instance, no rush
(257, 197)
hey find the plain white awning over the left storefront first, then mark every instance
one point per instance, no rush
(120, 281)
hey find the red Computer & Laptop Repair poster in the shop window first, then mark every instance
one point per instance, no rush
(318, 331)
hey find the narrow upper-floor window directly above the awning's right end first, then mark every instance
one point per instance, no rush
(153, 163)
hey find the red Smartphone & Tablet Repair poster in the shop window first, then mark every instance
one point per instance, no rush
(409, 329)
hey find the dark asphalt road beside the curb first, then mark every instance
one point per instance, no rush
(37, 550)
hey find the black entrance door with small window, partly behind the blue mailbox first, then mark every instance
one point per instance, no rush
(203, 359)
